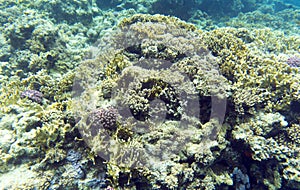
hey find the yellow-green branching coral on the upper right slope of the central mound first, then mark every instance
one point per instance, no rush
(257, 81)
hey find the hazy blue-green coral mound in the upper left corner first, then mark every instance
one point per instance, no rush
(41, 44)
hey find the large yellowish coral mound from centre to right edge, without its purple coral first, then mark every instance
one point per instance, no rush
(139, 65)
